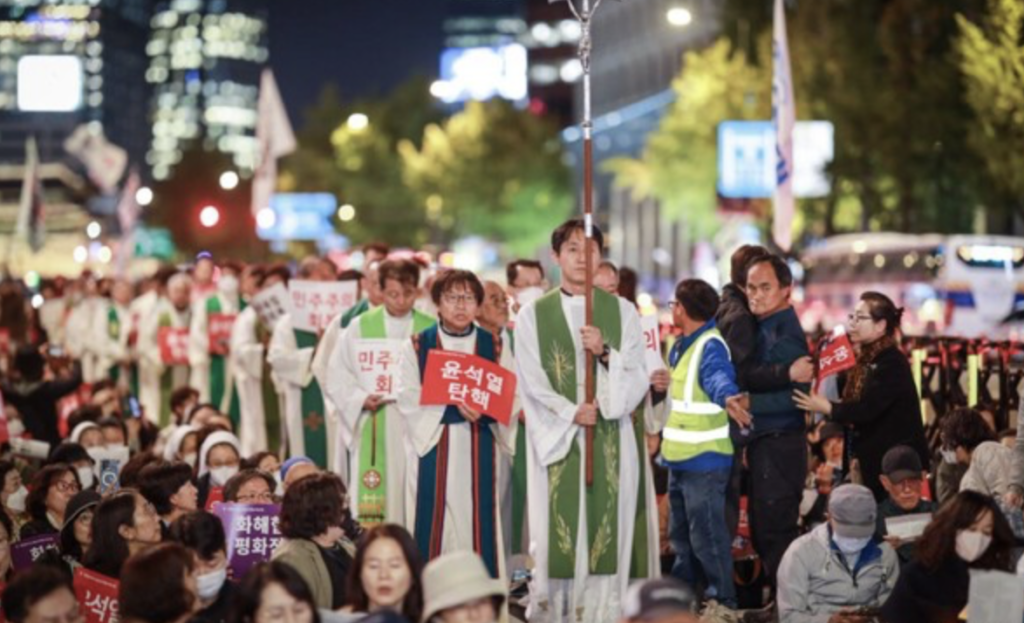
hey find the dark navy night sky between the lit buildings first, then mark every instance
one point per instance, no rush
(365, 48)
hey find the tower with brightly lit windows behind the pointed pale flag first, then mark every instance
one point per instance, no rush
(205, 62)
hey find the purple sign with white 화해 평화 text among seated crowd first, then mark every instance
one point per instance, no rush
(252, 534)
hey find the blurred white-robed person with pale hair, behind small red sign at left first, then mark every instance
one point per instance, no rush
(173, 312)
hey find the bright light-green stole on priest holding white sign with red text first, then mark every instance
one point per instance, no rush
(373, 441)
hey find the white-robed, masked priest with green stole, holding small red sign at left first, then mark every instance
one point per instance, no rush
(209, 359)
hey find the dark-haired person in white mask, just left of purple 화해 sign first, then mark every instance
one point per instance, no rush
(203, 534)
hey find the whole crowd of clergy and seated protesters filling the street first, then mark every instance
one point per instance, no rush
(125, 462)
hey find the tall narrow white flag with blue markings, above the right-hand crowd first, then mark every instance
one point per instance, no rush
(784, 114)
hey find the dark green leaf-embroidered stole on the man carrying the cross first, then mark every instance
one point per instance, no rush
(559, 361)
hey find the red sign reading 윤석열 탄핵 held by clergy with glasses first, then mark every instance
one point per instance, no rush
(454, 379)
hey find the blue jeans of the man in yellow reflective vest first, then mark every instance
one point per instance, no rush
(699, 533)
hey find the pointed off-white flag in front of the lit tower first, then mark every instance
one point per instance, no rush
(274, 139)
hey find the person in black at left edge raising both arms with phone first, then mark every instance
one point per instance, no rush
(36, 398)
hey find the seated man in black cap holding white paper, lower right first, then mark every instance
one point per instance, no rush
(903, 477)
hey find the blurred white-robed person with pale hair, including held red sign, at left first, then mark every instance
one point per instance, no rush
(164, 368)
